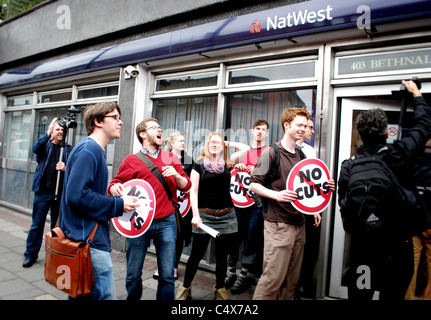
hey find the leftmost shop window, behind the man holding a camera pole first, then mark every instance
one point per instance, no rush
(24, 126)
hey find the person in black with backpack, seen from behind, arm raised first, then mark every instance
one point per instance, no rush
(388, 257)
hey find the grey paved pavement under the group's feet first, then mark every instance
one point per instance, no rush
(18, 283)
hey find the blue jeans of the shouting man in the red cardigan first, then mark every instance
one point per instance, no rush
(163, 232)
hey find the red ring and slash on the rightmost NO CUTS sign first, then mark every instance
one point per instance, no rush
(290, 185)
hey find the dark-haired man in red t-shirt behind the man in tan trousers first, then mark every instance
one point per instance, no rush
(250, 219)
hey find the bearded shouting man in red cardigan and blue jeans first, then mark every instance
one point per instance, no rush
(163, 228)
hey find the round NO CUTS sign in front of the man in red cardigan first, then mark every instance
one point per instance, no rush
(133, 224)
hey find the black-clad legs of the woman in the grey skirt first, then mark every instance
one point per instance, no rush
(199, 247)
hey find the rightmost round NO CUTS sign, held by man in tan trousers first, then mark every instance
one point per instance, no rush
(309, 179)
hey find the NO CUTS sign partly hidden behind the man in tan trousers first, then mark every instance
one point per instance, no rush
(240, 192)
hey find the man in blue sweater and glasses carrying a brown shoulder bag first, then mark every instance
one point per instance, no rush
(85, 202)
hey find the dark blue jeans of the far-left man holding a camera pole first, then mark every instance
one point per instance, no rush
(42, 203)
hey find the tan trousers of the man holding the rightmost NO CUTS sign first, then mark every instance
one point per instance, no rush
(283, 252)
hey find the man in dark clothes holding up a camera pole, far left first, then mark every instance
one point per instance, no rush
(47, 150)
